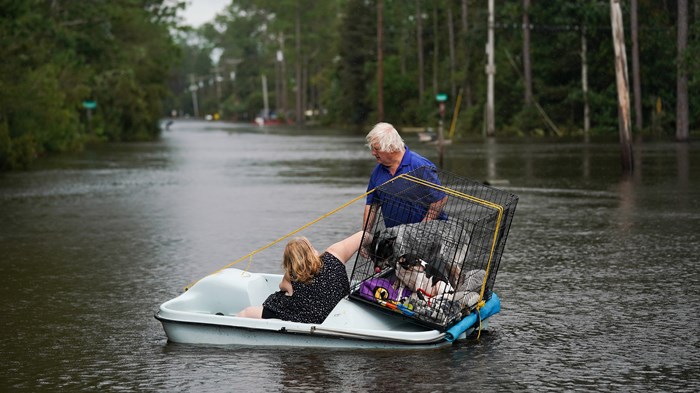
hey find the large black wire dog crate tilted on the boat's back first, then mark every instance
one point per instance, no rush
(432, 246)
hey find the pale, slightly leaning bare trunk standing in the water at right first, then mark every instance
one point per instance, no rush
(622, 86)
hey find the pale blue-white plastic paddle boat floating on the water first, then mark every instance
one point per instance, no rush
(206, 314)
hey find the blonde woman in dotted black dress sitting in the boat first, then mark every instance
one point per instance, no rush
(312, 284)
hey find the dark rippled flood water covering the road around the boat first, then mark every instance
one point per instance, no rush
(599, 282)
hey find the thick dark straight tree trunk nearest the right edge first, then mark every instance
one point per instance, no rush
(682, 117)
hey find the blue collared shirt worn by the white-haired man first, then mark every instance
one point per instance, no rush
(403, 201)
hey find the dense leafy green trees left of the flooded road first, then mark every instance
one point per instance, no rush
(74, 72)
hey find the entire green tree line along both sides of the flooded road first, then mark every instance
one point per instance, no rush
(76, 72)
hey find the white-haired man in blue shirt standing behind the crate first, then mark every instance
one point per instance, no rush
(402, 202)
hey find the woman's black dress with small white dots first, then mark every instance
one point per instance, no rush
(312, 302)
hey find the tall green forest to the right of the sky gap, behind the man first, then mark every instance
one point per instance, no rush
(553, 63)
